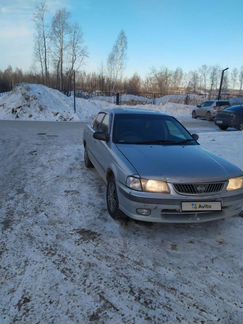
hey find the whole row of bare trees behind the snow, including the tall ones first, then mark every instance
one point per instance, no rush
(59, 50)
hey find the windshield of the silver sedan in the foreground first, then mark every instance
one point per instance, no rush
(149, 129)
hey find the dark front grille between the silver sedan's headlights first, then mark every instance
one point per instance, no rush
(198, 188)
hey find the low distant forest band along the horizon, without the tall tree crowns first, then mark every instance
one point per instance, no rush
(161, 81)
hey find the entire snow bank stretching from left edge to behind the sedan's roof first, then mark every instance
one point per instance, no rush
(38, 102)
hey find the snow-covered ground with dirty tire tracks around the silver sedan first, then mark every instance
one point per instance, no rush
(63, 259)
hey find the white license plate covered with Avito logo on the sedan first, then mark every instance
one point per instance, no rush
(201, 206)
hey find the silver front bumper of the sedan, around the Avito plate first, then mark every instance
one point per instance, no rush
(166, 208)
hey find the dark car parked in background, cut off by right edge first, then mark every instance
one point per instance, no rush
(230, 117)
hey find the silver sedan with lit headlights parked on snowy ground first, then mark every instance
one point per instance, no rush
(156, 171)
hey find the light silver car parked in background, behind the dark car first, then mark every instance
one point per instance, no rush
(209, 109)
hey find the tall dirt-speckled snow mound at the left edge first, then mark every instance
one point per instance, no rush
(36, 102)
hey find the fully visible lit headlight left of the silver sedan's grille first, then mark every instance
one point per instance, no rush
(147, 185)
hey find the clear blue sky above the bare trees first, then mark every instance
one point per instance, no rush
(172, 33)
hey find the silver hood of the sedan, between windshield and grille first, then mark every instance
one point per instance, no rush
(178, 163)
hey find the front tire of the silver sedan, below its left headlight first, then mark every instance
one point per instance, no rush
(112, 201)
